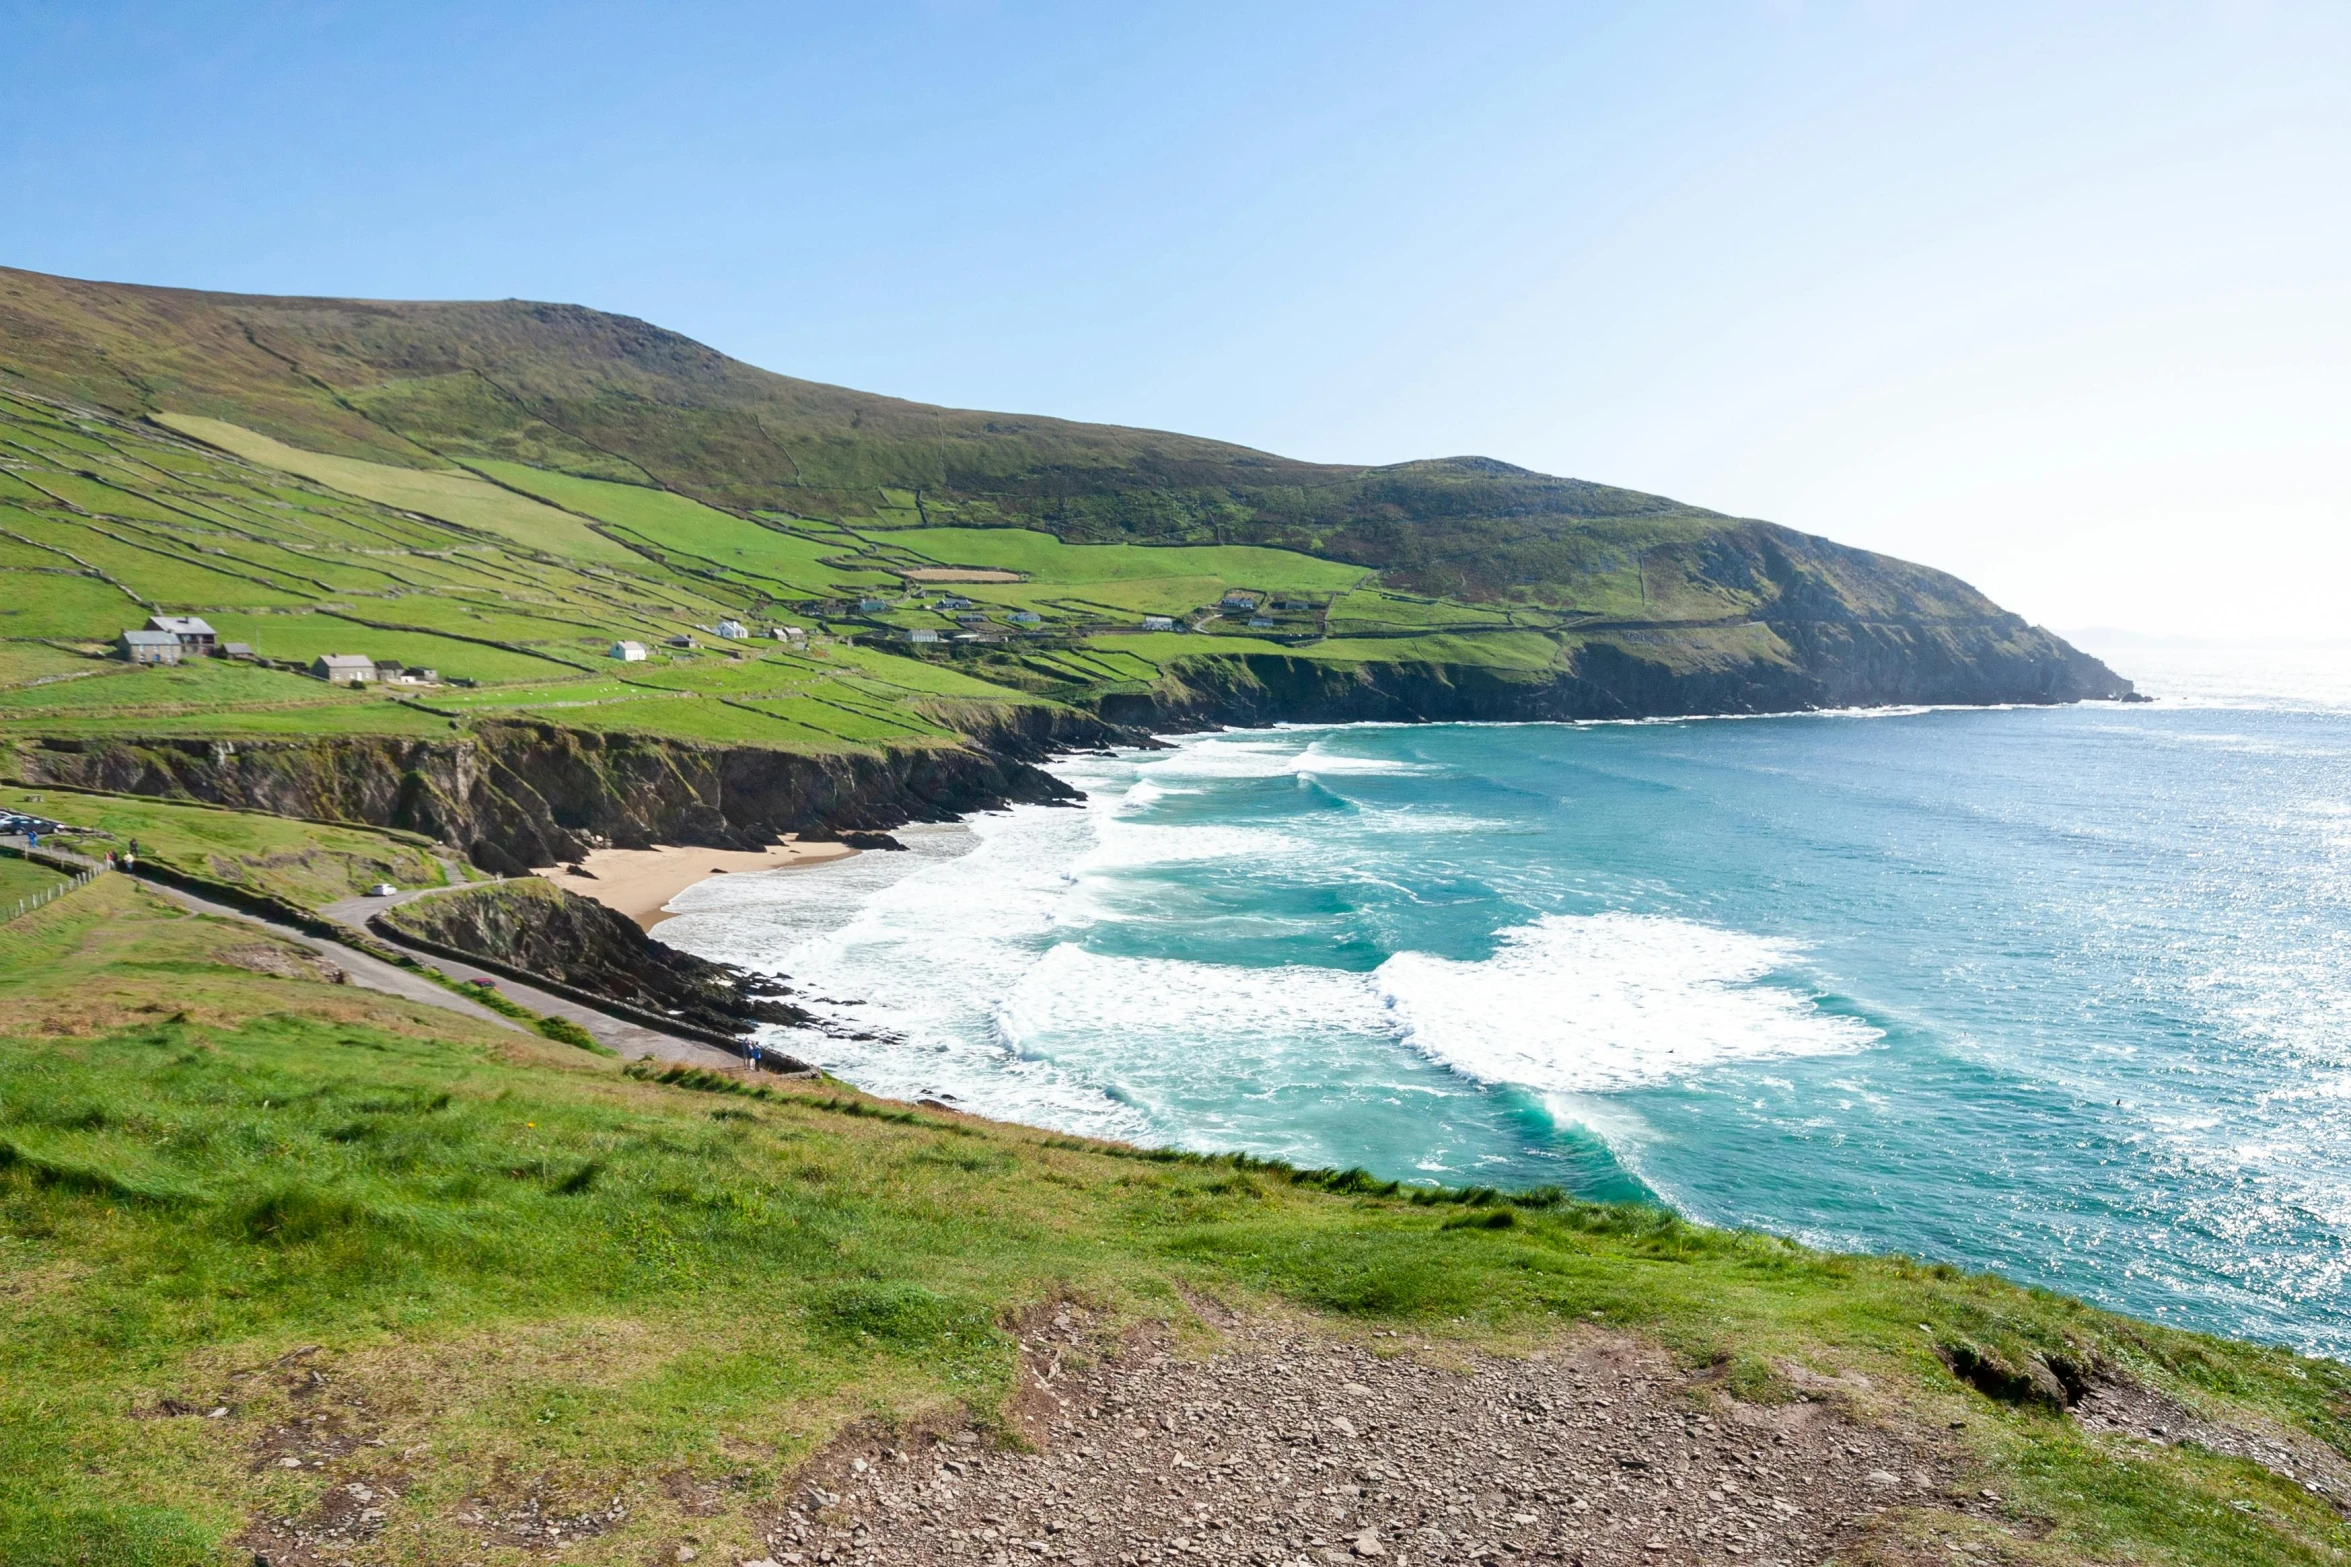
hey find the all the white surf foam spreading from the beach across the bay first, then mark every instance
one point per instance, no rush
(970, 969)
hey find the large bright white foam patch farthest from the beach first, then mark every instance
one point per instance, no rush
(1602, 1002)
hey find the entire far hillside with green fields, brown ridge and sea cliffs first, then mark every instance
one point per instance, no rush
(913, 603)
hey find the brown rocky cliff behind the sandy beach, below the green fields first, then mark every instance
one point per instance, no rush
(521, 795)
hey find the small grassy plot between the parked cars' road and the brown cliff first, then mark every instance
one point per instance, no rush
(304, 863)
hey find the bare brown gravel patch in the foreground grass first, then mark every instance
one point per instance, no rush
(1294, 1451)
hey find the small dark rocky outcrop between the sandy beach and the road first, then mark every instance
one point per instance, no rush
(547, 932)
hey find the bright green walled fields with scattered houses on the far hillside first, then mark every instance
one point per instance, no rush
(518, 581)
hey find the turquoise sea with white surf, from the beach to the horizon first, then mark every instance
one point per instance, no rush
(2056, 993)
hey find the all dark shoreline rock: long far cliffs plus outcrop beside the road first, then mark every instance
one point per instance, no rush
(516, 798)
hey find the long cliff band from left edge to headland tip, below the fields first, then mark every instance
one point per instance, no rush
(521, 795)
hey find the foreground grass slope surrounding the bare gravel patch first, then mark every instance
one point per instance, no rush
(481, 1270)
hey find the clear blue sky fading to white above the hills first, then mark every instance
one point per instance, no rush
(2051, 295)
